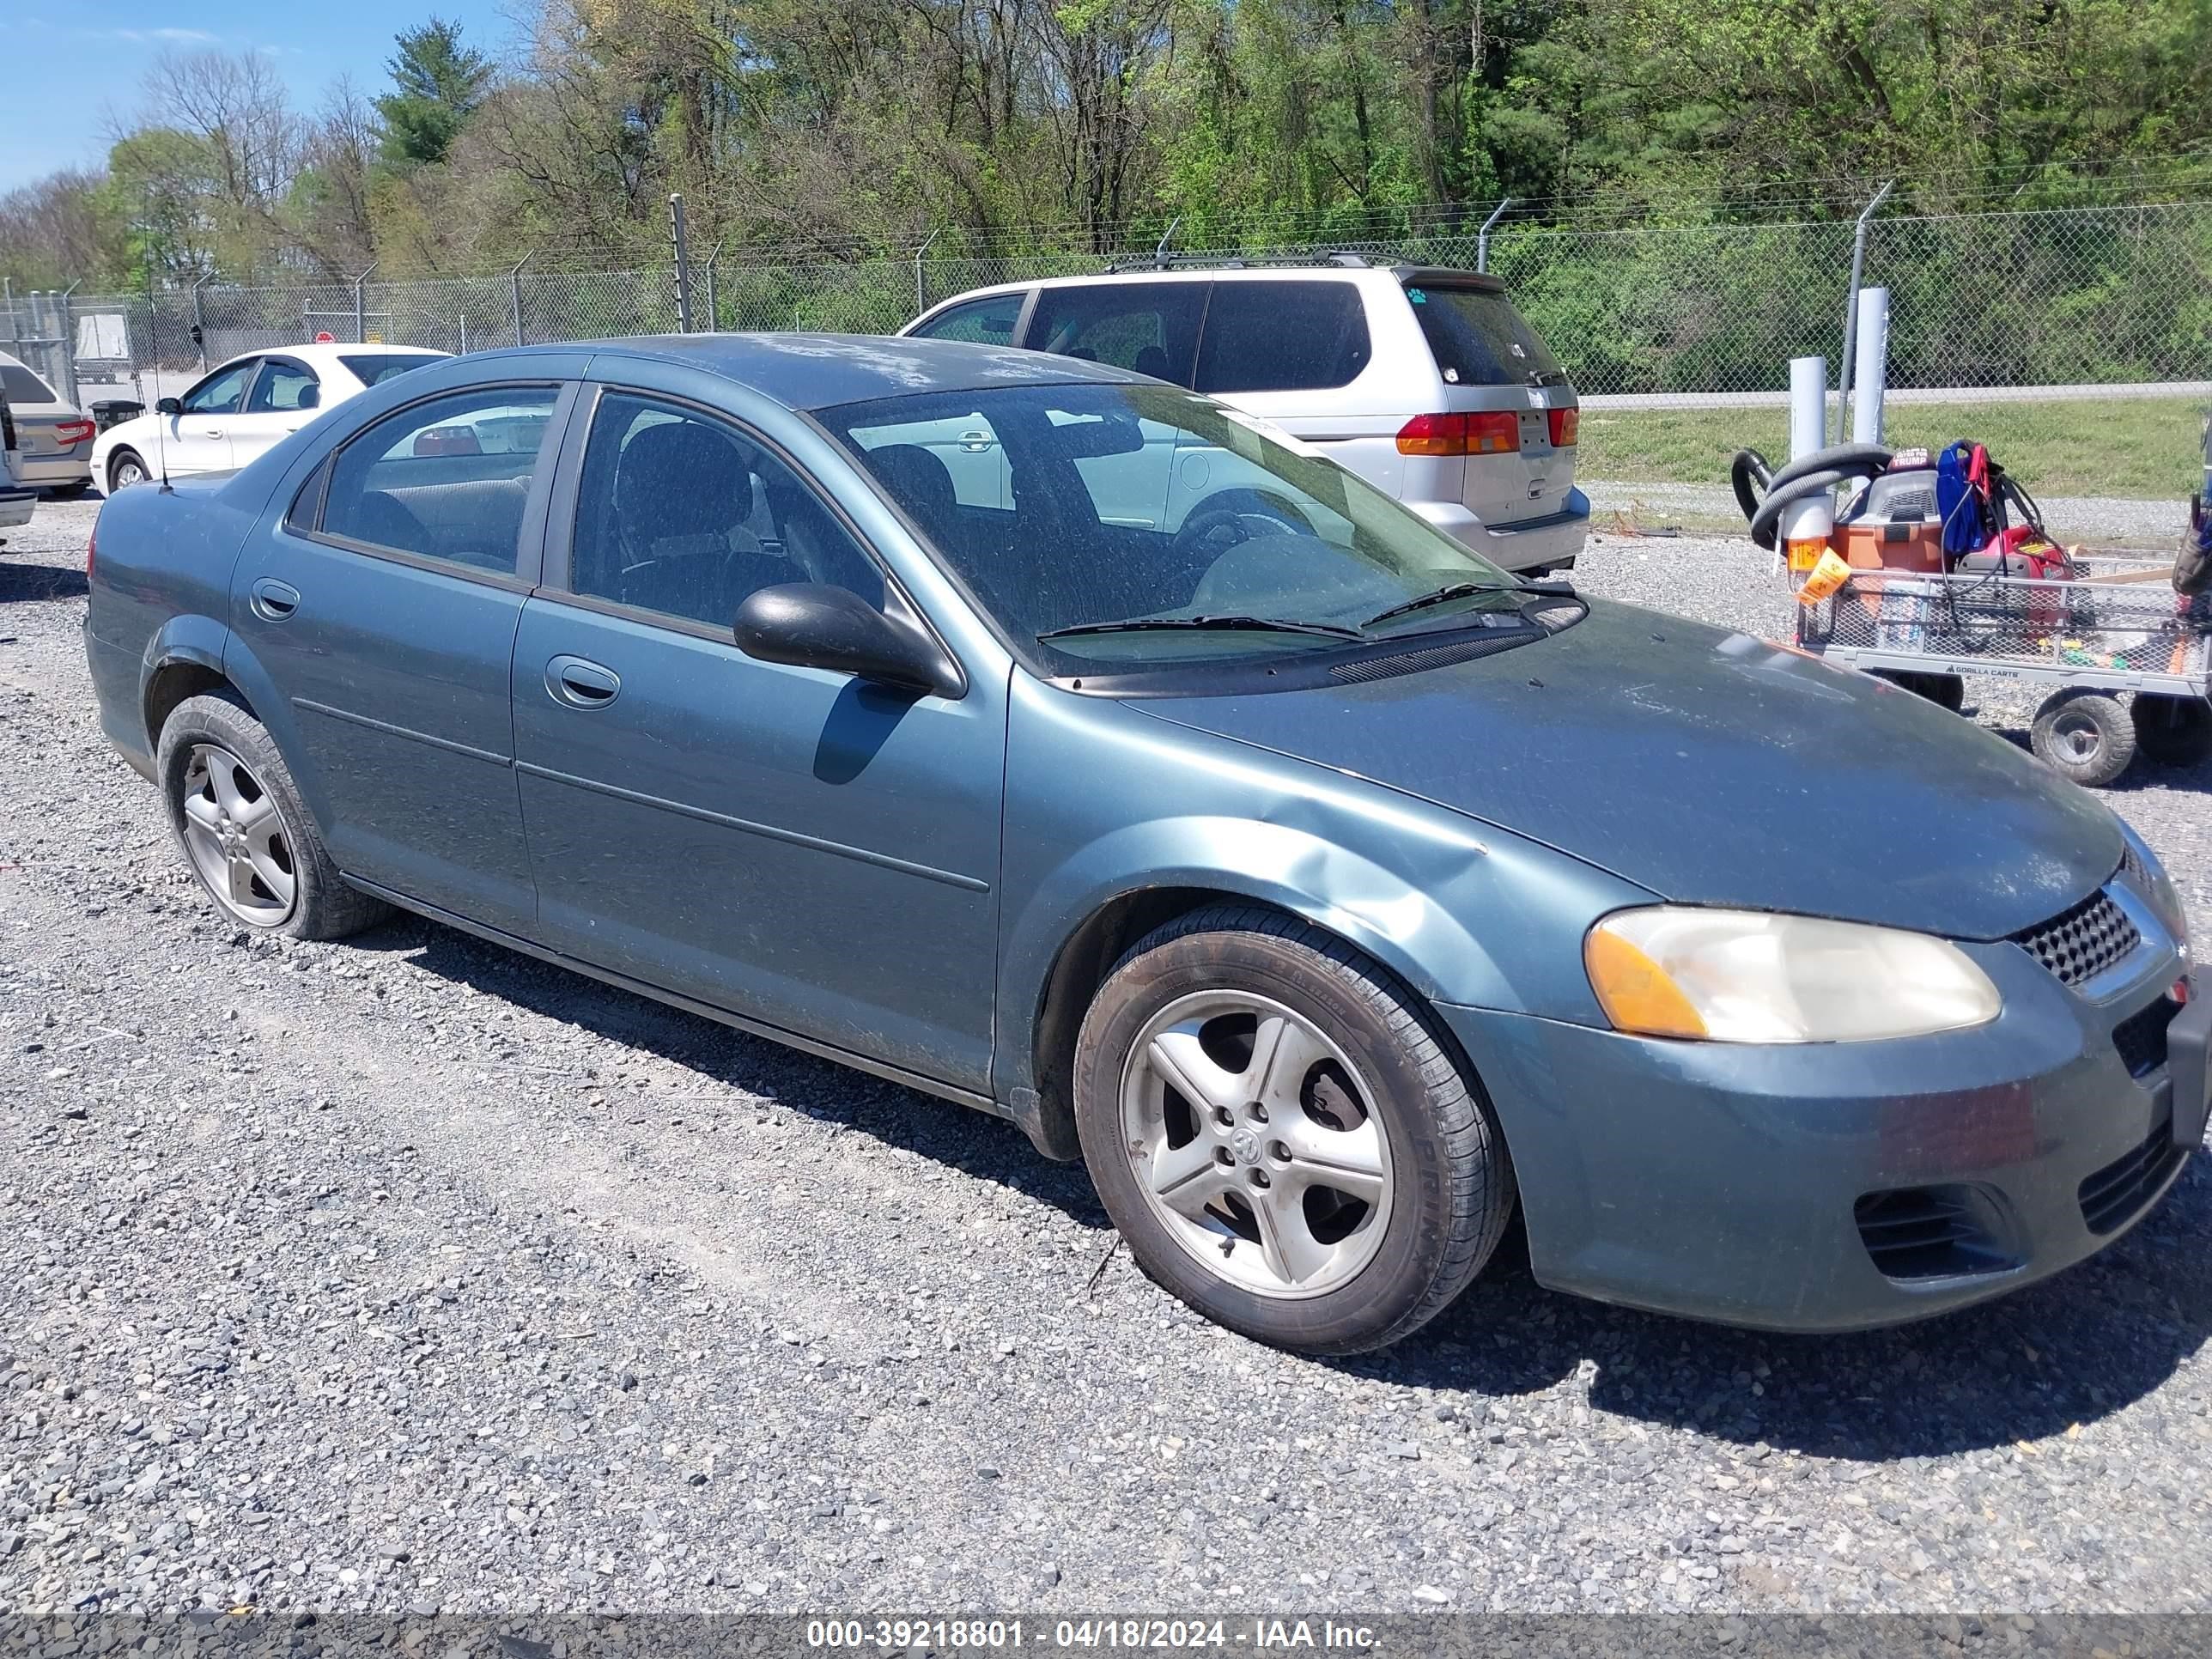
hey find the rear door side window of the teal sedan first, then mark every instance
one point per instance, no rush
(446, 479)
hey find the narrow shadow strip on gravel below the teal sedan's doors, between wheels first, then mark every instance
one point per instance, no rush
(893, 1114)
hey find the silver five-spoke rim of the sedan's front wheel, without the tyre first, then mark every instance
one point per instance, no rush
(1258, 1145)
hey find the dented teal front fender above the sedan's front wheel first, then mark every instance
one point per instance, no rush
(1105, 802)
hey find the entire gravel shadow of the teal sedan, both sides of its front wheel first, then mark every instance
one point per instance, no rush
(2023, 1368)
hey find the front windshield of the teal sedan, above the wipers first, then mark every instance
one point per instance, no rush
(1142, 528)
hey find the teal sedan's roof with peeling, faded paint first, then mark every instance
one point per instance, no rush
(826, 371)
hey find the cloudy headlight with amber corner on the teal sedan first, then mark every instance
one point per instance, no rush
(1751, 977)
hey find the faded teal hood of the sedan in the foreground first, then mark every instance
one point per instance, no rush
(1713, 769)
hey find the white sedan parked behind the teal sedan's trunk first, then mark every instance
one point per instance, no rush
(244, 408)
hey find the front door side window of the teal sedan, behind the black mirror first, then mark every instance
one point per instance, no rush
(689, 517)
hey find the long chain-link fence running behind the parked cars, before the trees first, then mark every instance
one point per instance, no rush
(2063, 298)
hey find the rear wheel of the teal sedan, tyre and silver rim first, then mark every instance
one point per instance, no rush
(244, 831)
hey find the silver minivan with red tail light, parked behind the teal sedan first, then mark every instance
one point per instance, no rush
(1428, 384)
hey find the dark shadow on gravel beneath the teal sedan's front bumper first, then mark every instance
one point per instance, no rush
(2027, 1366)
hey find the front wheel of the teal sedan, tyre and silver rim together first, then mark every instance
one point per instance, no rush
(1282, 1134)
